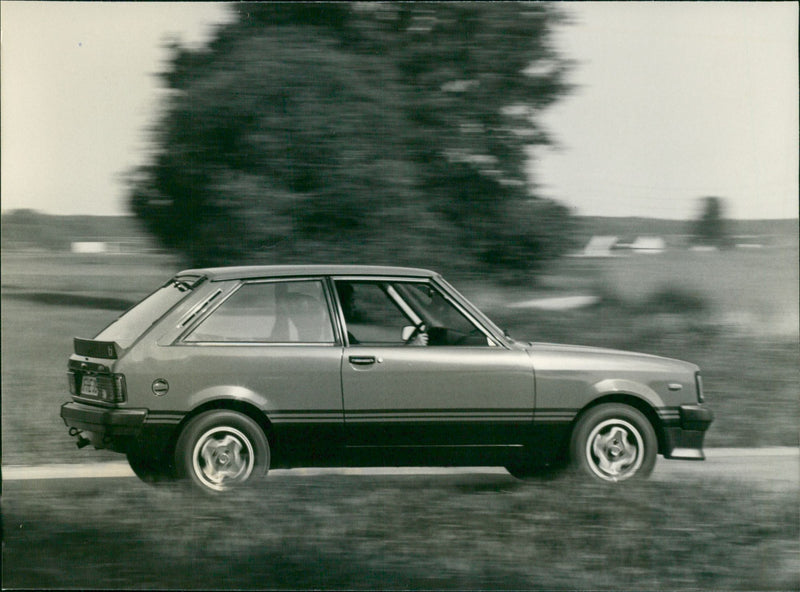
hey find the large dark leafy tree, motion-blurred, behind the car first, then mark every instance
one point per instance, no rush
(384, 133)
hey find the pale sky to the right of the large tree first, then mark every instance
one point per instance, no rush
(675, 101)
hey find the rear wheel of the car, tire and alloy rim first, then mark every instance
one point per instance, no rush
(220, 450)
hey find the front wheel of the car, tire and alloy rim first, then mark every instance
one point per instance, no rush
(614, 442)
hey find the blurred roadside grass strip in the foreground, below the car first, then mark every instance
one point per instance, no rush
(399, 532)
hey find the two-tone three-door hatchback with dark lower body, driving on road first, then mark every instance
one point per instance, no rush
(223, 373)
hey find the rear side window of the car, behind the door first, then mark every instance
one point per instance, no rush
(270, 312)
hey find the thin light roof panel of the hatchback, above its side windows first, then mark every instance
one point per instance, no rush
(268, 271)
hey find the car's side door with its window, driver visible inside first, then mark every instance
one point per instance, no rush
(400, 389)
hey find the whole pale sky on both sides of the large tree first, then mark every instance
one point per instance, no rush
(672, 102)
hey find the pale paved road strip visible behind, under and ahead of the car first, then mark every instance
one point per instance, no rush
(775, 467)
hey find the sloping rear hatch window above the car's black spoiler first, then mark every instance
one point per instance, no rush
(128, 327)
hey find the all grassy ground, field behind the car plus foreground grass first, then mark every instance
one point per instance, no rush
(733, 313)
